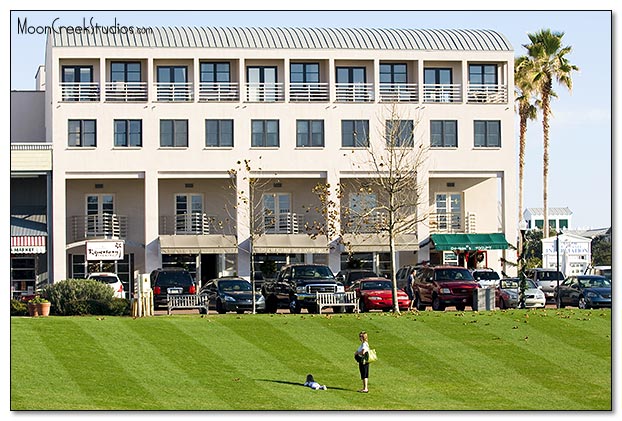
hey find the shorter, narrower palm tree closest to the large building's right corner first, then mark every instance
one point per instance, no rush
(527, 110)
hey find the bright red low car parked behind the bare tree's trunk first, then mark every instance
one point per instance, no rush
(376, 294)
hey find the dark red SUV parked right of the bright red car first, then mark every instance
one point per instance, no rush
(443, 286)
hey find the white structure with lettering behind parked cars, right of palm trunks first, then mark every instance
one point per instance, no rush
(575, 253)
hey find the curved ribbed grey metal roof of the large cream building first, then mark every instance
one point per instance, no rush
(289, 38)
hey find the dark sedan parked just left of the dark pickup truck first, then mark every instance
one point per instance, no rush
(232, 294)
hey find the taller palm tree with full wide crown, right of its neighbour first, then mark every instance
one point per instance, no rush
(548, 62)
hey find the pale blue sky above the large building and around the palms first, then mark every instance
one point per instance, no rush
(580, 174)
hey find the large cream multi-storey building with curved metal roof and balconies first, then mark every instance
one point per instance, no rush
(147, 127)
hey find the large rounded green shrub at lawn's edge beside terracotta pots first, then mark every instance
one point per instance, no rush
(77, 297)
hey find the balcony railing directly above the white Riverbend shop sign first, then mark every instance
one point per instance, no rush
(106, 225)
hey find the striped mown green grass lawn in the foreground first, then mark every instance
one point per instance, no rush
(503, 360)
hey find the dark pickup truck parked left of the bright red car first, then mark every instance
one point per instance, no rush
(295, 287)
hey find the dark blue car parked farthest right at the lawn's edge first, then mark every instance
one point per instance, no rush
(585, 291)
